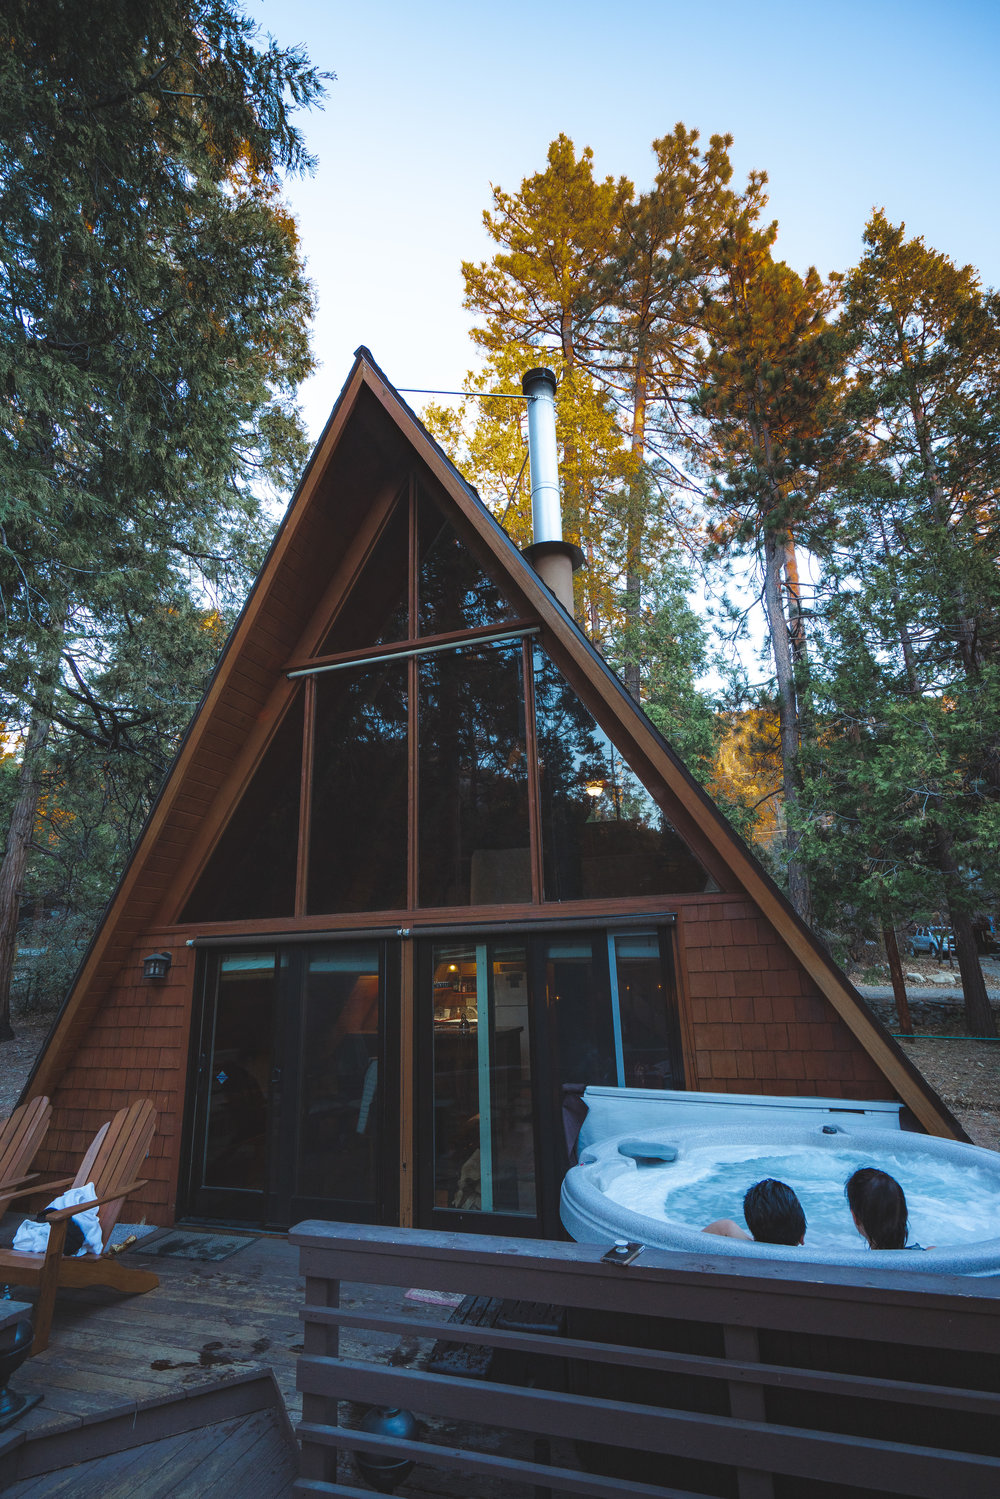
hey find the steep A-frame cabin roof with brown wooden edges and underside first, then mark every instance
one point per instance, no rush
(350, 482)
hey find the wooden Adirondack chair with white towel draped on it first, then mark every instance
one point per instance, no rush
(118, 1152)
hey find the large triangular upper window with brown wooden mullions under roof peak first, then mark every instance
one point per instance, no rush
(445, 761)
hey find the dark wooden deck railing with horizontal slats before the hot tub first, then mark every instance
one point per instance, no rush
(680, 1377)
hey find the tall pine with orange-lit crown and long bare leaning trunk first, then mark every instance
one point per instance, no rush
(771, 384)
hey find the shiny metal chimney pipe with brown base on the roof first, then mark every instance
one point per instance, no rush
(552, 558)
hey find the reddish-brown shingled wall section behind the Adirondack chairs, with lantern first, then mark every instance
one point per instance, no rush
(137, 1049)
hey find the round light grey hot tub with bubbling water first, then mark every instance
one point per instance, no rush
(726, 1144)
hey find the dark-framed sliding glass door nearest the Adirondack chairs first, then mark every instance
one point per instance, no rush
(293, 1113)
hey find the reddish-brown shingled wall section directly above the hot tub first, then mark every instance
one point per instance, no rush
(758, 1022)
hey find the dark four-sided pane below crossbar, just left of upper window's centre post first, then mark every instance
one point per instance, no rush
(358, 836)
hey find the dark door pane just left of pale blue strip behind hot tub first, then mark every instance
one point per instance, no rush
(579, 1010)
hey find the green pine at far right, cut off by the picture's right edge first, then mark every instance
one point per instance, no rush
(920, 516)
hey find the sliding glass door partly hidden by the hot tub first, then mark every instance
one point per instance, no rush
(506, 1025)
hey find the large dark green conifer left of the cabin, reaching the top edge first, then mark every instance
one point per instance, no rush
(154, 334)
